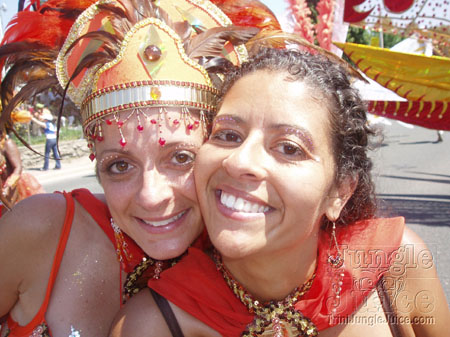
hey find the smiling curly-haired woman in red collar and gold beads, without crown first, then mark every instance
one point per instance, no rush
(286, 194)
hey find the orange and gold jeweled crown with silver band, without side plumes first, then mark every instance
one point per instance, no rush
(153, 65)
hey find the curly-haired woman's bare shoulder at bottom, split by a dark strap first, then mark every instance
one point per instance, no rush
(142, 317)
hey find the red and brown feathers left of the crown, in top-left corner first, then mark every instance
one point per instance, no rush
(28, 50)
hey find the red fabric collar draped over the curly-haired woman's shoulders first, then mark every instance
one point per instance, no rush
(196, 286)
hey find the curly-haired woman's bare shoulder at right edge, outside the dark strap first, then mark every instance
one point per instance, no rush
(415, 290)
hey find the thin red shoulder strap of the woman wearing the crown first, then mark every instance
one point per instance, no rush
(26, 330)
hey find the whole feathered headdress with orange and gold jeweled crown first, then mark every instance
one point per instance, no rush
(127, 54)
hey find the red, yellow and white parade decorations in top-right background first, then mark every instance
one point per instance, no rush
(423, 81)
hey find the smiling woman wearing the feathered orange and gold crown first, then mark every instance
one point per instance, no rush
(143, 74)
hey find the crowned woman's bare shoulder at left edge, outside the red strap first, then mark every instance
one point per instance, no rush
(27, 233)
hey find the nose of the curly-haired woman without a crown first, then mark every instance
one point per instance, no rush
(247, 161)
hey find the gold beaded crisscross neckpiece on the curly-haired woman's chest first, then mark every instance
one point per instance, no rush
(279, 316)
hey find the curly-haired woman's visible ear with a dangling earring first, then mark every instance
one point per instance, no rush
(339, 196)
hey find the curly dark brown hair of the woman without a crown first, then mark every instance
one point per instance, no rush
(348, 122)
